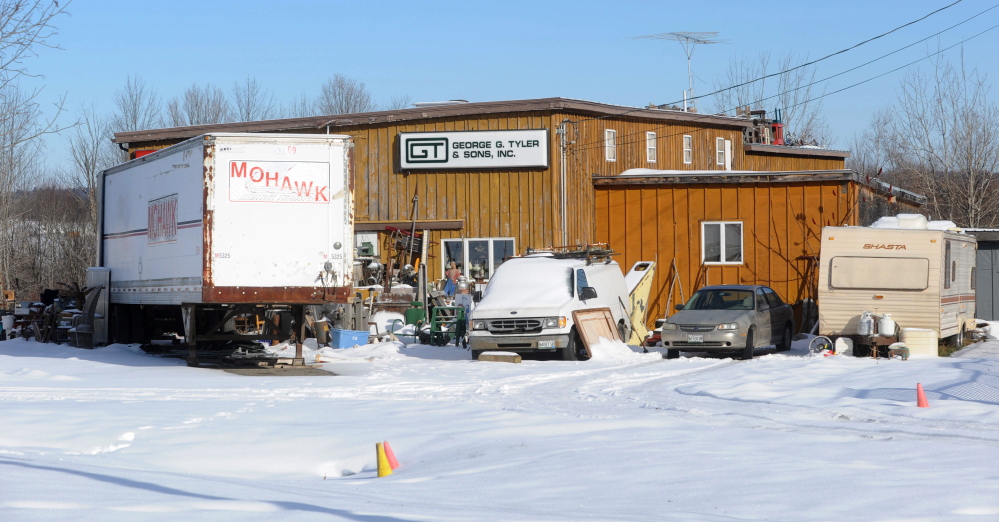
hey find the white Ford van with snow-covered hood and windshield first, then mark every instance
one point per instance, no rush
(527, 306)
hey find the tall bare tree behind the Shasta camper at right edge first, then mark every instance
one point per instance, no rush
(942, 137)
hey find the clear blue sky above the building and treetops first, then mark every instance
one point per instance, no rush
(483, 51)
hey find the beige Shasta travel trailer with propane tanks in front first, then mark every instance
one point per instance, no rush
(923, 277)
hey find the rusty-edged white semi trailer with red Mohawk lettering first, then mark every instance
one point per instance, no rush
(223, 226)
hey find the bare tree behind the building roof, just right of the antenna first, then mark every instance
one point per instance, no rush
(791, 91)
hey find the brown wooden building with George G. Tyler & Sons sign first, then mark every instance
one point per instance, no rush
(705, 195)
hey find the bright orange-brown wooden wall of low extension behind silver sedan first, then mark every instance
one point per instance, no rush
(781, 226)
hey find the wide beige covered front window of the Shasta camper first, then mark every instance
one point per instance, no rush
(880, 273)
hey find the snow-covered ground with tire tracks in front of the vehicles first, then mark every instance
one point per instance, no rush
(114, 434)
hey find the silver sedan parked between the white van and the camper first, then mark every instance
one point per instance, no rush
(729, 318)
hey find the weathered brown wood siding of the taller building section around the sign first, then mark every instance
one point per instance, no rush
(523, 203)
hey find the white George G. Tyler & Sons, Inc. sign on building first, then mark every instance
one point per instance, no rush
(473, 149)
